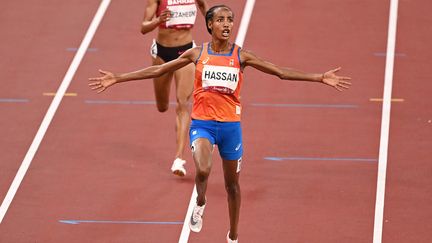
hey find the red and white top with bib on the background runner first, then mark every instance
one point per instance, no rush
(183, 13)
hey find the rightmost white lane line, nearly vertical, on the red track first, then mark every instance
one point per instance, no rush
(385, 123)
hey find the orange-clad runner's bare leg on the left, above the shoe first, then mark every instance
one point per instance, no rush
(202, 154)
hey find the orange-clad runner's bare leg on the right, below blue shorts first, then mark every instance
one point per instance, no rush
(232, 187)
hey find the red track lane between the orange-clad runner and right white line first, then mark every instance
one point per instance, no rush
(313, 201)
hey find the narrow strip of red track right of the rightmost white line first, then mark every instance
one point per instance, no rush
(407, 214)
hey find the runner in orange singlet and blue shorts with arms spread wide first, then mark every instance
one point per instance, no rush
(217, 110)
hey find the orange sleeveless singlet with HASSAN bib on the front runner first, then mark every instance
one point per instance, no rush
(218, 81)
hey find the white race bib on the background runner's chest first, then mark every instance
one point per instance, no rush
(182, 15)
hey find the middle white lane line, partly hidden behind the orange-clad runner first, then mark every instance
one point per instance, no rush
(247, 13)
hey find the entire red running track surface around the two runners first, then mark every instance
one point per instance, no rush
(111, 162)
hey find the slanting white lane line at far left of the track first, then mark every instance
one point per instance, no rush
(52, 109)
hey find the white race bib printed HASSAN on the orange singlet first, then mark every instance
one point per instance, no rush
(220, 78)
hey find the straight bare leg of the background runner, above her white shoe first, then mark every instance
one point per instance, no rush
(184, 78)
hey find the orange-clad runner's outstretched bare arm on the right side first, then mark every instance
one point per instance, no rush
(330, 78)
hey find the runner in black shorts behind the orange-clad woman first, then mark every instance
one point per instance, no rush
(174, 20)
